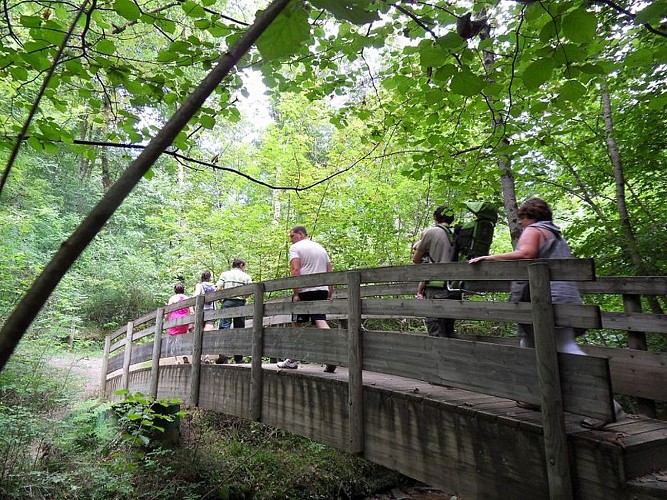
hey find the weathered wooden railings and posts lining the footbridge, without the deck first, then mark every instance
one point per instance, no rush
(557, 382)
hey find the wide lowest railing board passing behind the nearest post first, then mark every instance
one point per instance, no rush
(503, 371)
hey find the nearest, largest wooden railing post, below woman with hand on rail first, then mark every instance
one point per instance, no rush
(553, 422)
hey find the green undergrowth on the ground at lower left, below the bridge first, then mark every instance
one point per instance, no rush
(51, 448)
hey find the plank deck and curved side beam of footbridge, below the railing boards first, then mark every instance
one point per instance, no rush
(467, 443)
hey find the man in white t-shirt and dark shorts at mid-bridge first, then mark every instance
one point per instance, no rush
(307, 257)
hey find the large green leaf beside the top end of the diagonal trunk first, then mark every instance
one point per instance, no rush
(285, 35)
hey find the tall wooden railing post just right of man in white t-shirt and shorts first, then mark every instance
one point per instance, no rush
(355, 363)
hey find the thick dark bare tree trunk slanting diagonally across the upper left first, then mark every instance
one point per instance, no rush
(30, 305)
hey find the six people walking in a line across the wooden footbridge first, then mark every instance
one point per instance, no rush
(540, 238)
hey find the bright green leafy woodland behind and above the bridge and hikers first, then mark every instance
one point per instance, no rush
(353, 118)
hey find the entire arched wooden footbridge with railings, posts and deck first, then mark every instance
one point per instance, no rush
(442, 411)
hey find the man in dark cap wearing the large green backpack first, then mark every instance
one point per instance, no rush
(436, 246)
